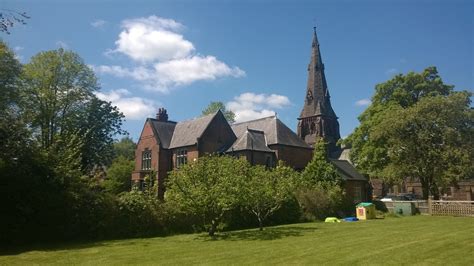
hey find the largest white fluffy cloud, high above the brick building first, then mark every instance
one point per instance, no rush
(162, 58)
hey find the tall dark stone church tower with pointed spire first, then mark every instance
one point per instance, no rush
(317, 119)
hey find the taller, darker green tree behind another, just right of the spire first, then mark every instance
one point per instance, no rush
(370, 154)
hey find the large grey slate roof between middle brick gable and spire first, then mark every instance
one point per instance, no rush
(275, 131)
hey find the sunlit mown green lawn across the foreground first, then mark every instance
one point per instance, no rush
(408, 240)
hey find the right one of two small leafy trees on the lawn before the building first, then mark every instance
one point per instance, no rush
(267, 190)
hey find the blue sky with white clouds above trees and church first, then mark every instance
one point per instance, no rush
(251, 55)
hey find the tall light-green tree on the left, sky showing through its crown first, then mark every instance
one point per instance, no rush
(58, 84)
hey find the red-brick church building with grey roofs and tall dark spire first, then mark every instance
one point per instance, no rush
(165, 145)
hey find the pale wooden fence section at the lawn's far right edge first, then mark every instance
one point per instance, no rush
(451, 208)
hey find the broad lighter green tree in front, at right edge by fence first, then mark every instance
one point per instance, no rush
(430, 141)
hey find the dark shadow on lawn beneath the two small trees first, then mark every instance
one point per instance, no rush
(270, 233)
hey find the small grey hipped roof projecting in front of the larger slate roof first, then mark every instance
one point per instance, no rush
(251, 140)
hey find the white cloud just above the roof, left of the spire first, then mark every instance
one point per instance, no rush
(249, 105)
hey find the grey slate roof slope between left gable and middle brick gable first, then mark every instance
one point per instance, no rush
(187, 132)
